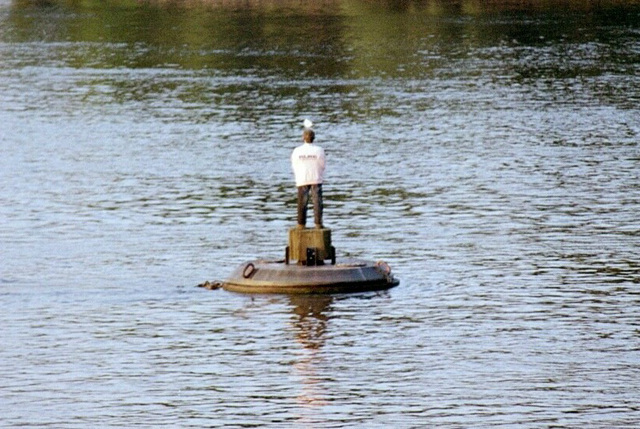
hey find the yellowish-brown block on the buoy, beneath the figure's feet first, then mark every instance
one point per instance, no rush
(310, 246)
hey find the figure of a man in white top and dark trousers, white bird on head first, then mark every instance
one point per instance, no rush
(308, 162)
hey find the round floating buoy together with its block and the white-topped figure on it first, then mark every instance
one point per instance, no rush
(310, 264)
